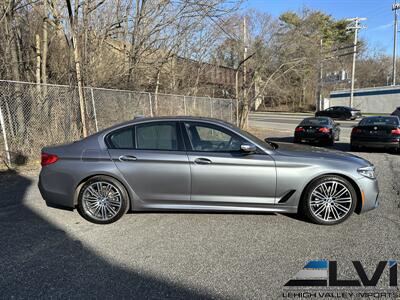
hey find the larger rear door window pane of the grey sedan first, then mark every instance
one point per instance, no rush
(157, 136)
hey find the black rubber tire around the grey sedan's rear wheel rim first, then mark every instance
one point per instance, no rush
(118, 185)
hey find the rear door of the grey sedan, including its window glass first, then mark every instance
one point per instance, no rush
(152, 159)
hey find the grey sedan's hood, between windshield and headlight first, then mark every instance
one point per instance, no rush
(305, 151)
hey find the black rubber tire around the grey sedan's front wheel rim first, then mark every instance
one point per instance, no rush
(305, 203)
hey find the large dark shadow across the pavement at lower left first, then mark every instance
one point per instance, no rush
(40, 260)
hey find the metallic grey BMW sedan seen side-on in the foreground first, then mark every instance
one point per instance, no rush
(199, 164)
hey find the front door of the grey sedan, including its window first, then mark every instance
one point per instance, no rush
(221, 173)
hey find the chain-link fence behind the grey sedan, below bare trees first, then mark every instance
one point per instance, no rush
(35, 115)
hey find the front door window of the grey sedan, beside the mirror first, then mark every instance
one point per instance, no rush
(209, 138)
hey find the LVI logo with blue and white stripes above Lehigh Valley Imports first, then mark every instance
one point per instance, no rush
(325, 273)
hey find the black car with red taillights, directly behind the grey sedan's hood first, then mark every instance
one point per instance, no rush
(317, 130)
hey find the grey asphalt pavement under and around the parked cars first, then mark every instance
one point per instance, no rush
(51, 253)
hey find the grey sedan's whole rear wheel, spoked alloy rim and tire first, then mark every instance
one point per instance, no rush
(98, 207)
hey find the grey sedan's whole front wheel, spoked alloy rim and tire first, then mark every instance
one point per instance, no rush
(328, 211)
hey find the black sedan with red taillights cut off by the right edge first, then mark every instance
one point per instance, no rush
(377, 132)
